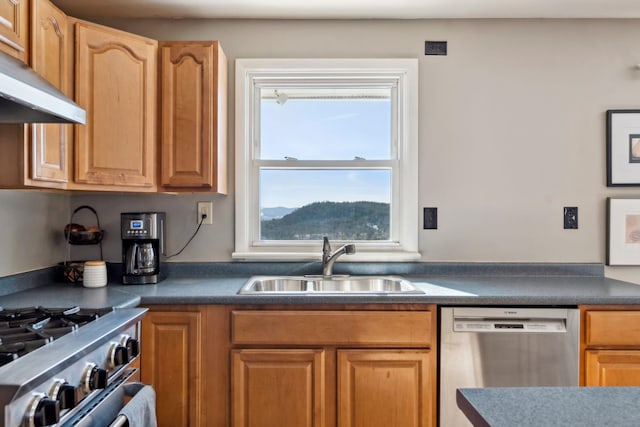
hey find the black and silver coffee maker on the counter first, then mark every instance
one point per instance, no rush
(143, 243)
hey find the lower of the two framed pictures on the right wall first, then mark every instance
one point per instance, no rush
(623, 231)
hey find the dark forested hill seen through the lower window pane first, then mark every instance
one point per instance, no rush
(337, 220)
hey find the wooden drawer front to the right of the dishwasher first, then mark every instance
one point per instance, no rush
(612, 328)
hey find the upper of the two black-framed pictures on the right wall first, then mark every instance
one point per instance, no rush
(623, 148)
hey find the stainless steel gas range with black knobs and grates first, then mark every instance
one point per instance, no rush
(66, 367)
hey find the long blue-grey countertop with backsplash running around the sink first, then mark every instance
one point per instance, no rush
(532, 285)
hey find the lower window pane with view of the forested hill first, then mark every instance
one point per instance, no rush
(310, 204)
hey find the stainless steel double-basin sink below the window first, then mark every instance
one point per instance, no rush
(308, 285)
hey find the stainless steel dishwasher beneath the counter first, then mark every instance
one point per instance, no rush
(505, 347)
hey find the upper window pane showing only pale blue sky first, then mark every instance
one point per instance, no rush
(323, 124)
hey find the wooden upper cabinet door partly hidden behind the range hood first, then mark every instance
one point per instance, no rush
(50, 143)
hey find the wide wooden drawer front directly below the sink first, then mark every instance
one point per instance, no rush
(352, 328)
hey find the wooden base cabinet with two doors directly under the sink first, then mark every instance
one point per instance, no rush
(330, 368)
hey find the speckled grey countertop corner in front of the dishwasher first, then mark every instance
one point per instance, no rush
(551, 406)
